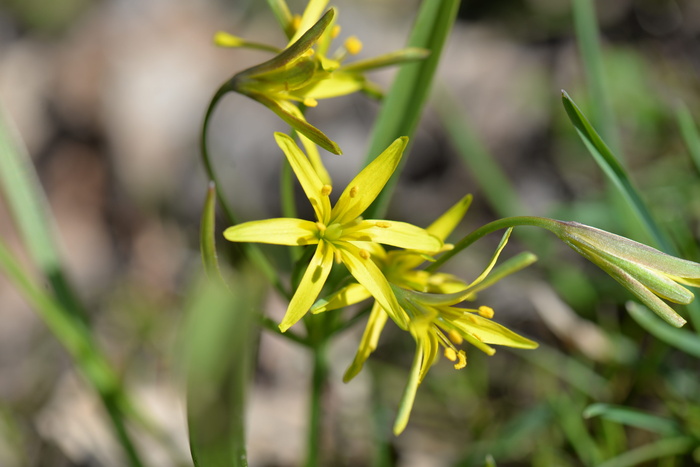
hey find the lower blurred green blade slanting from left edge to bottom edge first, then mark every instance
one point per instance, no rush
(72, 333)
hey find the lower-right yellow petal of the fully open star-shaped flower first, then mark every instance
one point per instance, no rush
(368, 274)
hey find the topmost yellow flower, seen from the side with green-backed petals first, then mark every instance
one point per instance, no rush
(303, 72)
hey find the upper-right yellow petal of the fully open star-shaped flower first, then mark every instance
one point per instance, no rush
(367, 185)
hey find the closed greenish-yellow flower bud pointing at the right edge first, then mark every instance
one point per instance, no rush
(644, 271)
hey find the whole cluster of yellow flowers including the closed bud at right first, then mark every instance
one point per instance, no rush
(385, 258)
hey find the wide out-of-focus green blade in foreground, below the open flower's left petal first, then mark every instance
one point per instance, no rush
(219, 341)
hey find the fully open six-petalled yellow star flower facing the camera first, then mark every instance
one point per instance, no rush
(339, 232)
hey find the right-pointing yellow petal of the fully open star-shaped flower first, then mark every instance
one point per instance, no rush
(400, 234)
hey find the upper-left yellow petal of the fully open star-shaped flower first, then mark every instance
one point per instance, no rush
(308, 178)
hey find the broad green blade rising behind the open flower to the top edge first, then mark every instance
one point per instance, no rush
(403, 105)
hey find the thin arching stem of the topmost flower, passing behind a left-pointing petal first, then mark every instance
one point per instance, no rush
(251, 251)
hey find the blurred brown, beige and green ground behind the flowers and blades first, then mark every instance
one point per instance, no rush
(109, 97)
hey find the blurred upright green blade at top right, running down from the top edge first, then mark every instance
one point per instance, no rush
(589, 47)
